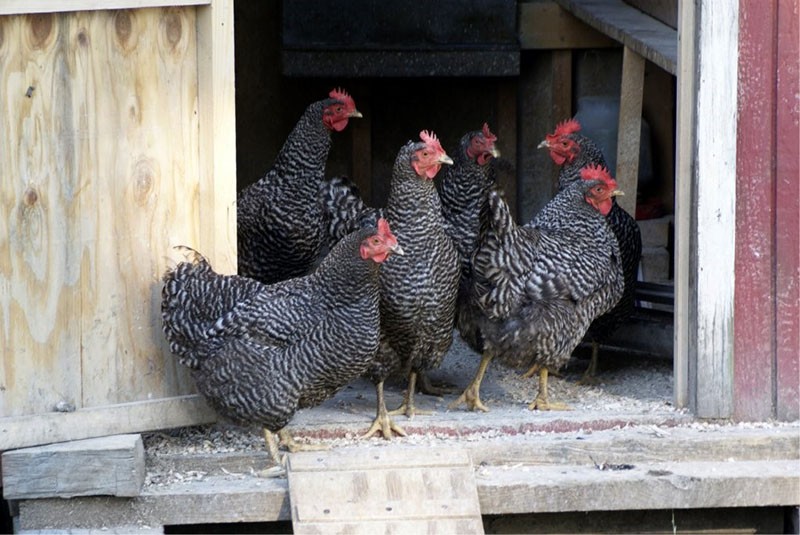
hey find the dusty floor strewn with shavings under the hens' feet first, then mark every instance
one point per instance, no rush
(632, 390)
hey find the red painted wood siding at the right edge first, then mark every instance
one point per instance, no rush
(766, 310)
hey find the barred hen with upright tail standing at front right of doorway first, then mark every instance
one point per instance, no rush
(536, 288)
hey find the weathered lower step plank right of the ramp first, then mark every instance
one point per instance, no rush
(660, 485)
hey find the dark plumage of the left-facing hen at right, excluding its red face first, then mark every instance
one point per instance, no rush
(628, 237)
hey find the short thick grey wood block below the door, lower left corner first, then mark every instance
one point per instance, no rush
(112, 466)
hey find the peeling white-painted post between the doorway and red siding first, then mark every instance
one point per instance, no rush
(705, 214)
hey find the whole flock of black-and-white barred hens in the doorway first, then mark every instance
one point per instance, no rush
(330, 289)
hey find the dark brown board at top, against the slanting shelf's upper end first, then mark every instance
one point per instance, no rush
(546, 25)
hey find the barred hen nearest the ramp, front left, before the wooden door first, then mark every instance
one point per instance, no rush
(259, 352)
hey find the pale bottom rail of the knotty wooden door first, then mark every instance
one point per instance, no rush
(24, 431)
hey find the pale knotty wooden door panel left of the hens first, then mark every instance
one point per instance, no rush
(117, 143)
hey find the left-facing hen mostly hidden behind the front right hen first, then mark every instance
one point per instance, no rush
(573, 151)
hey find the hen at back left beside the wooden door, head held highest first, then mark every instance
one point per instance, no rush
(278, 218)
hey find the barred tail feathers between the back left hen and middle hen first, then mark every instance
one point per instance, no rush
(343, 210)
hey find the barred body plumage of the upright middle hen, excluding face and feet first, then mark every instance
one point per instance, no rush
(418, 289)
